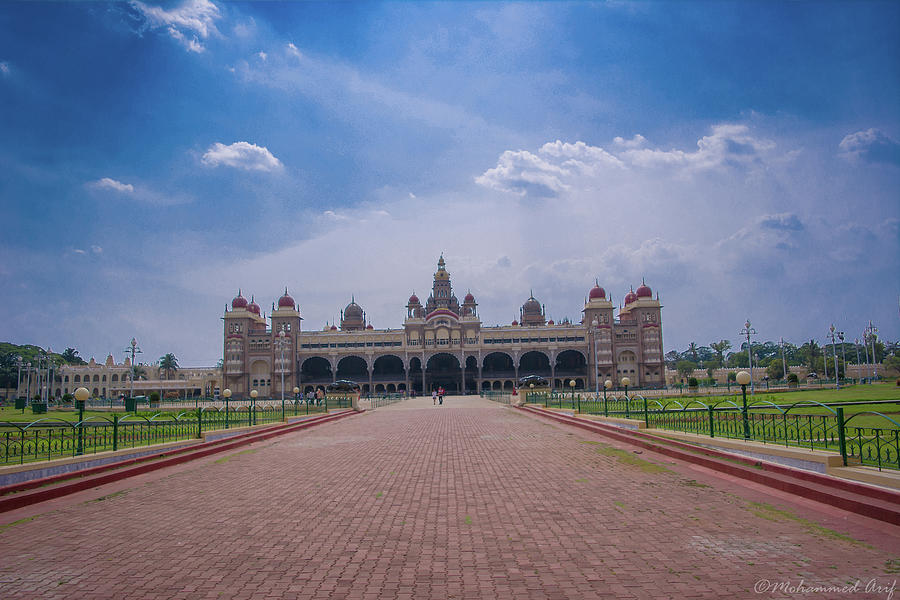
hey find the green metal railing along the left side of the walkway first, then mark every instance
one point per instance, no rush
(55, 437)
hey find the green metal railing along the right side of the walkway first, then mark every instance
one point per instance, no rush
(765, 422)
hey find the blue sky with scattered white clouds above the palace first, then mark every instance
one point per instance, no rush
(742, 158)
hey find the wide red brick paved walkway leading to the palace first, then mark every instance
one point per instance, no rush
(467, 500)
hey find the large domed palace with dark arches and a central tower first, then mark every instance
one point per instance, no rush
(443, 343)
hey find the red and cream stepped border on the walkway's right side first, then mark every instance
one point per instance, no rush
(869, 501)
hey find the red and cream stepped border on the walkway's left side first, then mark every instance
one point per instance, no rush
(17, 495)
